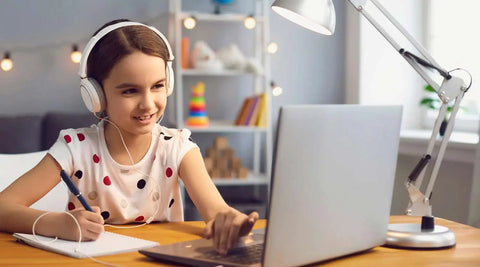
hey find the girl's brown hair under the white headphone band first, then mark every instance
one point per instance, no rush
(120, 43)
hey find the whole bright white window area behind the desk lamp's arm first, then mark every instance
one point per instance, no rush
(377, 74)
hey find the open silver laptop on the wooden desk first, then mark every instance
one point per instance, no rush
(332, 184)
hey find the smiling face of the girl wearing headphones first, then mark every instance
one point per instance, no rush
(136, 93)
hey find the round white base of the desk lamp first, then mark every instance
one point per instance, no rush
(408, 235)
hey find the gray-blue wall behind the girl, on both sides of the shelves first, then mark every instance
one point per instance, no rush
(308, 66)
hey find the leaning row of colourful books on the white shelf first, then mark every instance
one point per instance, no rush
(251, 112)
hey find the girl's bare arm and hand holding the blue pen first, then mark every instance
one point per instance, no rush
(30, 187)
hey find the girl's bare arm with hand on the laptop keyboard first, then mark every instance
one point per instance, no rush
(223, 223)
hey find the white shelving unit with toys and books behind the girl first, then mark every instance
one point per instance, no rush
(261, 84)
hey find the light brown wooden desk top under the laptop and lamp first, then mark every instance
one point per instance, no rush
(465, 253)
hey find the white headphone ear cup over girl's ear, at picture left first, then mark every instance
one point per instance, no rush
(92, 95)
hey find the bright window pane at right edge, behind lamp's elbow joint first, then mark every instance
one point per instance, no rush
(453, 40)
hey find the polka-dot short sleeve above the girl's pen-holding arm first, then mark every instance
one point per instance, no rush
(61, 152)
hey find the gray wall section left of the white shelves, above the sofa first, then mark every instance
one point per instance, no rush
(40, 33)
